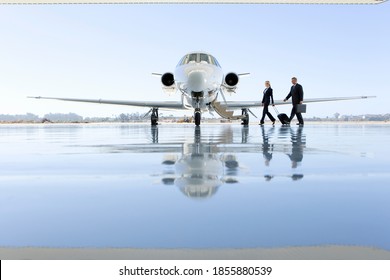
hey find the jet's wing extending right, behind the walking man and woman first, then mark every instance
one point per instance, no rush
(235, 105)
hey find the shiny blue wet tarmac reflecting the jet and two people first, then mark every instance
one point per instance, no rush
(176, 186)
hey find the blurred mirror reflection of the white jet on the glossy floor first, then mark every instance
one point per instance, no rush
(197, 167)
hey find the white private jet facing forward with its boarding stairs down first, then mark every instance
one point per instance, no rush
(199, 78)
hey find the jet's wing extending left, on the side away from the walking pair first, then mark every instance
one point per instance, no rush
(149, 104)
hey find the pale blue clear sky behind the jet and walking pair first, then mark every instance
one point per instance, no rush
(109, 51)
